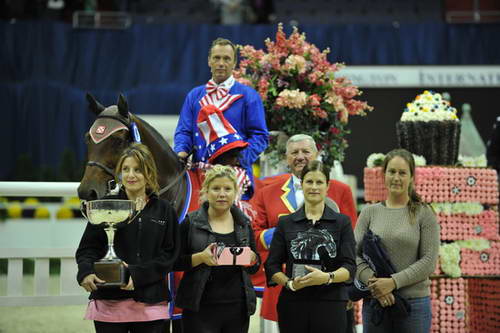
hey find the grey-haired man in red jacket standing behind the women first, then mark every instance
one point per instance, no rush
(283, 195)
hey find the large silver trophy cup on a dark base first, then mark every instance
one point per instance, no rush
(108, 214)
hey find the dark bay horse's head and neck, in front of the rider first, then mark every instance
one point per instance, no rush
(110, 134)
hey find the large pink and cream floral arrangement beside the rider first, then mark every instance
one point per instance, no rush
(301, 93)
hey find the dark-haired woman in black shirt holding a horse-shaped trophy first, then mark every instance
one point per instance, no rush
(317, 246)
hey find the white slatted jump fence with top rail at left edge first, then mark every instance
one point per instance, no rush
(69, 291)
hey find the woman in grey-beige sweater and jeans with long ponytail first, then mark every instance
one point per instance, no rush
(409, 232)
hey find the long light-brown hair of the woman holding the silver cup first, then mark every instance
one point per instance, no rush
(147, 165)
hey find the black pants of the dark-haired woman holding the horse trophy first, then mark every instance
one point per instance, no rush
(312, 316)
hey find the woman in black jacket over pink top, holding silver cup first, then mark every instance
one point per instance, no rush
(125, 264)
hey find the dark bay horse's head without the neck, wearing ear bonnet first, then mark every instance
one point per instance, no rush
(106, 140)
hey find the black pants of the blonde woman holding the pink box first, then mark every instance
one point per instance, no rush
(217, 318)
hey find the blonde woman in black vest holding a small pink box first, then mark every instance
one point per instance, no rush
(215, 298)
